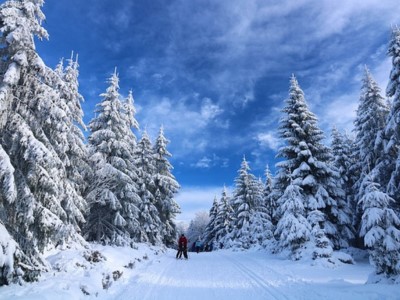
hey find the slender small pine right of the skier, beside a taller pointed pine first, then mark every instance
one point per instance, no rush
(224, 220)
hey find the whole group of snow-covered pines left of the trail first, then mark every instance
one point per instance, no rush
(56, 188)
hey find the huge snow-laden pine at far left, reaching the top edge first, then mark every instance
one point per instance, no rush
(32, 134)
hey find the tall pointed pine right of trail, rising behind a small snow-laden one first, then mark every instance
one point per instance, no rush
(307, 161)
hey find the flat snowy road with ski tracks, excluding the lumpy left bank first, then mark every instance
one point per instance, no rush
(227, 275)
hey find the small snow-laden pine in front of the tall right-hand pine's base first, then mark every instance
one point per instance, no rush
(293, 230)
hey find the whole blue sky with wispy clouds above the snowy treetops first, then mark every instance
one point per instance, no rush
(215, 74)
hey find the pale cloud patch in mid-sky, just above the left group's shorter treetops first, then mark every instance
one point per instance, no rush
(185, 123)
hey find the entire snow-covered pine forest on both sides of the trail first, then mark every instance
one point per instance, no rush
(60, 189)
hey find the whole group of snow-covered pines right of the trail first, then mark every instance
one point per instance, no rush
(324, 198)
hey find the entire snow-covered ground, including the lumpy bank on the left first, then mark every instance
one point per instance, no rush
(154, 273)
